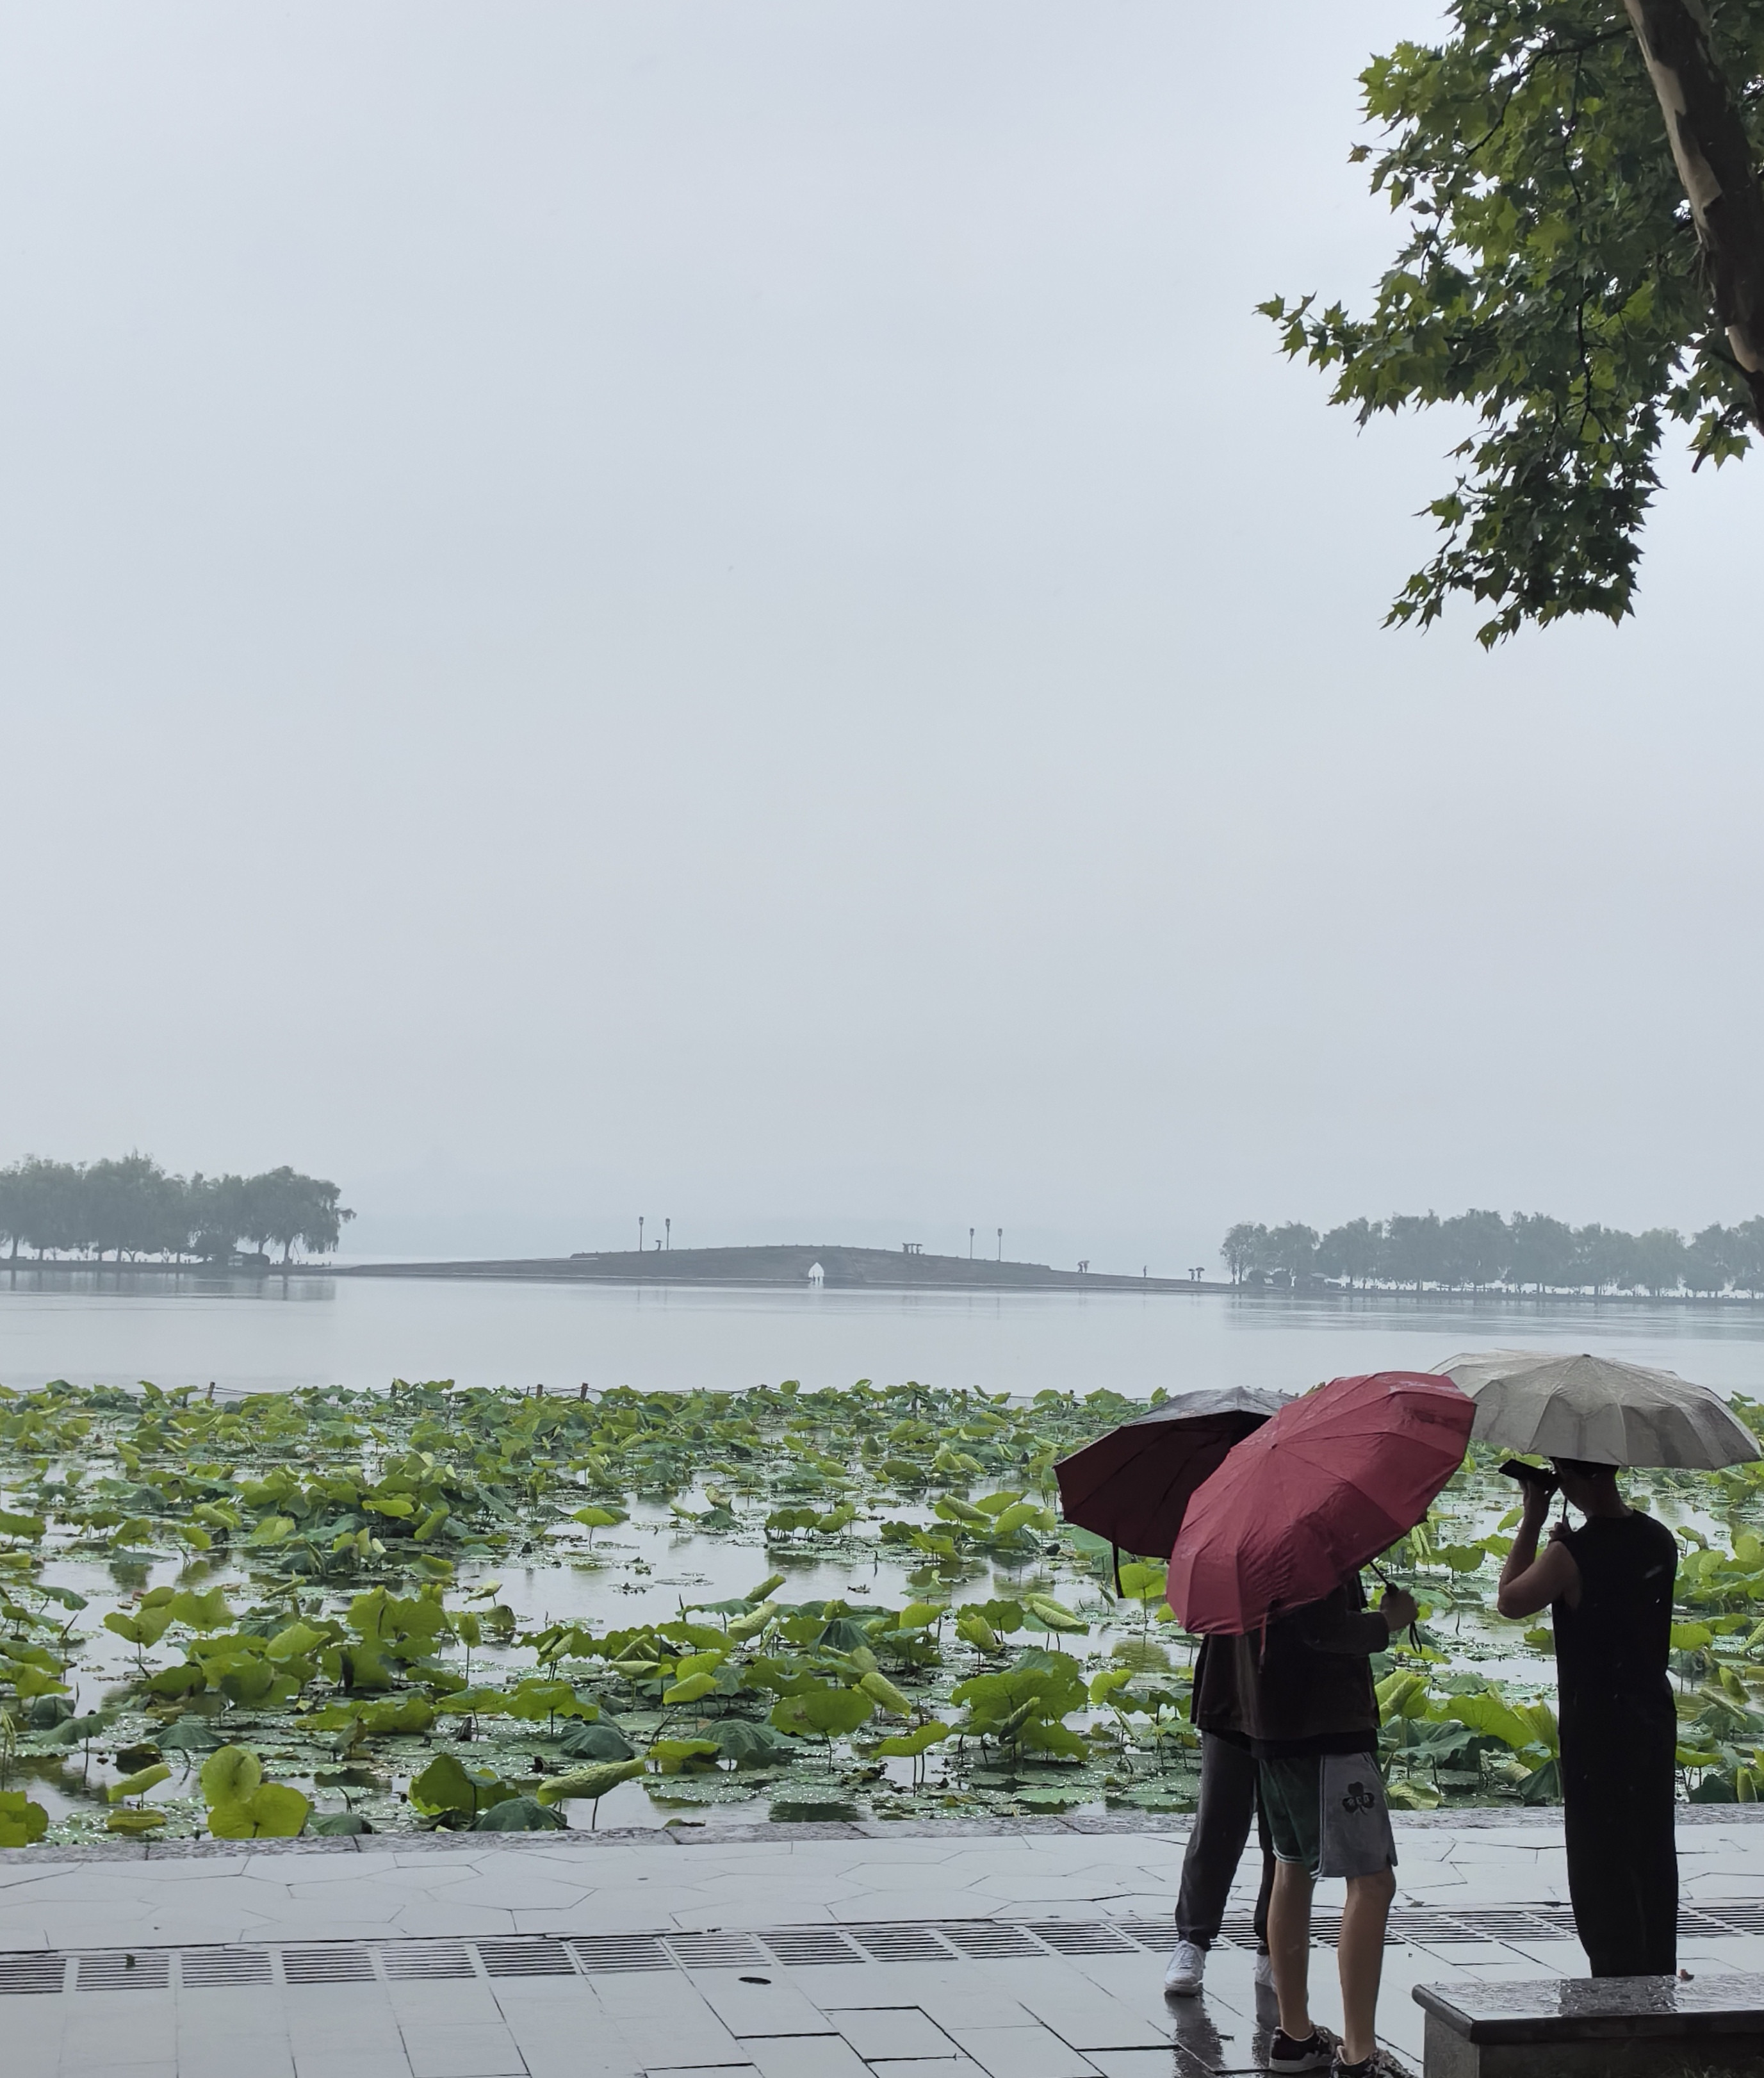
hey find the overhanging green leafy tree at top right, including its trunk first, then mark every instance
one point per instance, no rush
(1582, 265)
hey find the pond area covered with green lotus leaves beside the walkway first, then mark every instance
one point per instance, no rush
(348, 1611)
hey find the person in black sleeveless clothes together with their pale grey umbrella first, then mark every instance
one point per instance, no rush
(1609, 1589)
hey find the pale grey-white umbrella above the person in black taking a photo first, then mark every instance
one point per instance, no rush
(1599, 1410)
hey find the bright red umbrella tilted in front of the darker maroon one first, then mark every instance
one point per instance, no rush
(1310, 1497)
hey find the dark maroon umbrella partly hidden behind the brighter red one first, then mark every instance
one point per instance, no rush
(1133, 1485)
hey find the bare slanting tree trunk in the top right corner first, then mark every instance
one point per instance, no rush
(1715, 163)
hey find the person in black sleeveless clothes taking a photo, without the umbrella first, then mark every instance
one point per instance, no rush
(1609, 1589)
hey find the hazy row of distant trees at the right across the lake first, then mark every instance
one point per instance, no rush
(1482, 1252)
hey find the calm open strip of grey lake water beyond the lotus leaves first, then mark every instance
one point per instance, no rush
(311, 1331)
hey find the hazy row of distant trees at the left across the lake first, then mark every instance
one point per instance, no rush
(134, 1210)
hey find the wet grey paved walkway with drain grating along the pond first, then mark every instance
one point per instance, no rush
(926, 1952)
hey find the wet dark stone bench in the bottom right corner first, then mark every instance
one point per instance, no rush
(1588, 2027)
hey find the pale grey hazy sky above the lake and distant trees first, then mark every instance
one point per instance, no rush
(726, 612)
